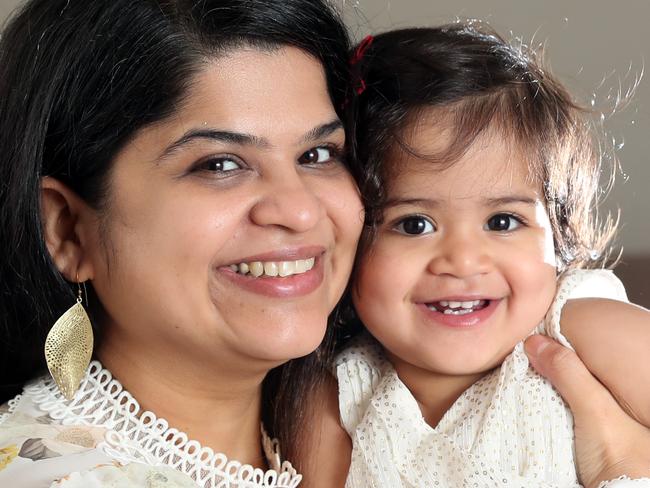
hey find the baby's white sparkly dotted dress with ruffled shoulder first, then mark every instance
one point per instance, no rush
(511, 428)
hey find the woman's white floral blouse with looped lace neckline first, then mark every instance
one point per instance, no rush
(101, 438)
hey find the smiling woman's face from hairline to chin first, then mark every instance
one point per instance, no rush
(243, 182)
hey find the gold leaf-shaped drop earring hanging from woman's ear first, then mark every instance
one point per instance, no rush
(69, 347)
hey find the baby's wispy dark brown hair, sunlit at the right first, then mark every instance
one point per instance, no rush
(479, 82)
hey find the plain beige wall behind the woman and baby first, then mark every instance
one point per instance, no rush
(596, 47)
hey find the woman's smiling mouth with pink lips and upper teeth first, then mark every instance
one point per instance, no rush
(297, 284)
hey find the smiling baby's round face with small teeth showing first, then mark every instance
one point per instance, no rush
(464, 265)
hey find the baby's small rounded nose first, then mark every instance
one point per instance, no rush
(461, 256)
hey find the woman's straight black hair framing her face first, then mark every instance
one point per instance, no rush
(78, 79)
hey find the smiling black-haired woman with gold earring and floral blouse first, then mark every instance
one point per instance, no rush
(189, 161)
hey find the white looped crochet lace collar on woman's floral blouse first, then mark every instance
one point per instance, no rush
(134, 435)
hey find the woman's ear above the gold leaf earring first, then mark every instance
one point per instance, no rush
(66, 220)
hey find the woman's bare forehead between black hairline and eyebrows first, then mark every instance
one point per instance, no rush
(268, 97)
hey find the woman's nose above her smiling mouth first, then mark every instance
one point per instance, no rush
(289, 202)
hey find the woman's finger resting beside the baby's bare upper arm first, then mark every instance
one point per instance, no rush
(564, 369)
